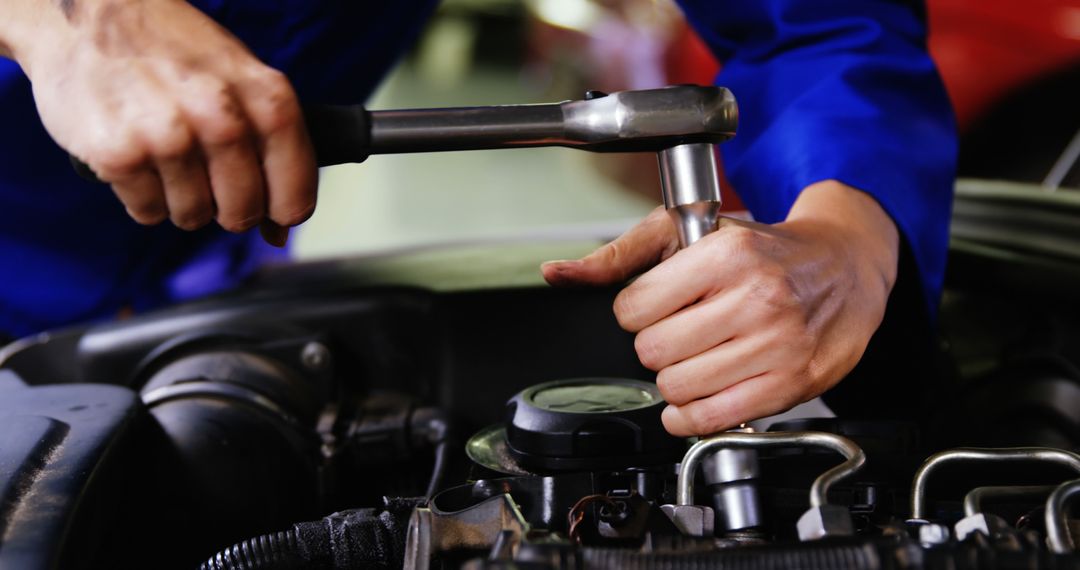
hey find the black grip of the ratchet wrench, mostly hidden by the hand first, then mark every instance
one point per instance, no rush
(340, 135)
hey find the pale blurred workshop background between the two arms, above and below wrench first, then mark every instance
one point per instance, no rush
(499, 52)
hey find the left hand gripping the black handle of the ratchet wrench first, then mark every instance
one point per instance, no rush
(170, 108)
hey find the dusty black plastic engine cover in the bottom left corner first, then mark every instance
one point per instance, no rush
(61, 450)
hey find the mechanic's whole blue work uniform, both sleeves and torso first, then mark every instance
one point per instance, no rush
(828, 90)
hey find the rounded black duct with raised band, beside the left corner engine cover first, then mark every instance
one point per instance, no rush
(238, 415)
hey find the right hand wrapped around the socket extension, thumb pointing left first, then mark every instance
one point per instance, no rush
(753, 319)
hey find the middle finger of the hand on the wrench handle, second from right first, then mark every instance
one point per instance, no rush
(226, 137)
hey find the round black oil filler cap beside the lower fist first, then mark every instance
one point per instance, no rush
(590, 424)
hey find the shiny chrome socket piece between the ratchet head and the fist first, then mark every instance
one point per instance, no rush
(691, 182)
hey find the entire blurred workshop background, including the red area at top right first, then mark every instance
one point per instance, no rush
(1014, 76)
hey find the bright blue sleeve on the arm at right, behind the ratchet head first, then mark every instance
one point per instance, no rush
(838, 90)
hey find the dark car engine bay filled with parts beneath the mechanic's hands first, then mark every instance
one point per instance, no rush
(330, 416)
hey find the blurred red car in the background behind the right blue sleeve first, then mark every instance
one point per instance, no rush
(1012, 71)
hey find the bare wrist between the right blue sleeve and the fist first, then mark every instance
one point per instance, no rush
(856, 223)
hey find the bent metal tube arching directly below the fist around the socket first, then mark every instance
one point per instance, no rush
(819, 492)
